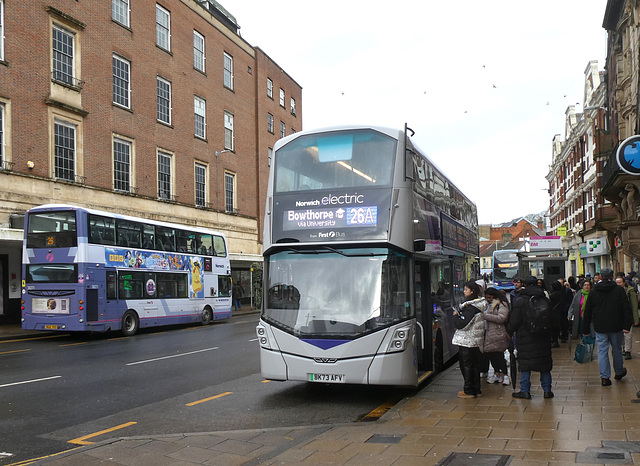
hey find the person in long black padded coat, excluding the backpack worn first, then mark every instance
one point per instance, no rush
(534, 349)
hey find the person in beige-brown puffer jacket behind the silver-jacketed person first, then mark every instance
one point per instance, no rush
(495, 335)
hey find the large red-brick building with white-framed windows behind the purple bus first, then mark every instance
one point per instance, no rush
(155, 109)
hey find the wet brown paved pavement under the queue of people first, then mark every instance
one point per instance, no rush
(585, 423)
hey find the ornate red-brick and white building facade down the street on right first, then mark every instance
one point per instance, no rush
(576, 211)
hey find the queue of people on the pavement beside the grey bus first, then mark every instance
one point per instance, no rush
(488, 320)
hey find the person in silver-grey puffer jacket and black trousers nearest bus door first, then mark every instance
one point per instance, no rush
(469, 336)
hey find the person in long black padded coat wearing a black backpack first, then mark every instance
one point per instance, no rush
(530, 321)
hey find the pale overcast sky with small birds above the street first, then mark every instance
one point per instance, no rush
(484, 84)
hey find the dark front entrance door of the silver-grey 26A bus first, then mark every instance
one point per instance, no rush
(424, 314)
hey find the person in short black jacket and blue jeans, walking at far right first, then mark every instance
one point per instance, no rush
(609, 309)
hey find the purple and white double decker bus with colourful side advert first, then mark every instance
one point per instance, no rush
(89, 270)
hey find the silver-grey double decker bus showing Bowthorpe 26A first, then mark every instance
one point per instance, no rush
(367, 246)
